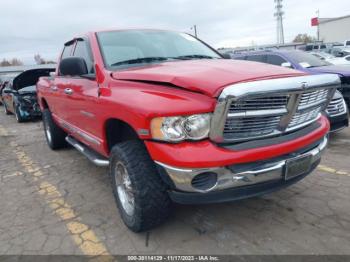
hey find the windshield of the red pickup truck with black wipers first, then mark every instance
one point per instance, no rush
(135, 47)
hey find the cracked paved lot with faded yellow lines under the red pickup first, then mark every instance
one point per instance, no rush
(60, 203)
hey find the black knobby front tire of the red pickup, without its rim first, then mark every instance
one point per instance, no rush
(152, 204)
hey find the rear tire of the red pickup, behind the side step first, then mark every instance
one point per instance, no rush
(57, 139)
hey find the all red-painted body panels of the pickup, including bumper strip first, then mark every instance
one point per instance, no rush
(183, 88)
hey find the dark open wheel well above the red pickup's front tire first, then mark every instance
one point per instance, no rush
(118, 131)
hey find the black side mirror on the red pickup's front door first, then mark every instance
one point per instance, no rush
(73, 66)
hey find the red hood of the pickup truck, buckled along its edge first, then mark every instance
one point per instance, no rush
(207, 76)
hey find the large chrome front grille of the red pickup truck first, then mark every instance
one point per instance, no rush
(267, 108)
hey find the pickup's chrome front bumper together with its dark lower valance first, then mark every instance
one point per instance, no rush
(237, 181)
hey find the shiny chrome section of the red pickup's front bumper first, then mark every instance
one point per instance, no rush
(182, 177)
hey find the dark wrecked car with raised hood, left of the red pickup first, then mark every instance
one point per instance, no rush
(19, 95)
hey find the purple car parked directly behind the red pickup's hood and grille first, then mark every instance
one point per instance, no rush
(310, 64)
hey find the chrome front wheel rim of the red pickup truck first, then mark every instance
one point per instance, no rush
(124, 188)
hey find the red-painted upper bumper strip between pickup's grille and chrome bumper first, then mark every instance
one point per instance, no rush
(206, 154)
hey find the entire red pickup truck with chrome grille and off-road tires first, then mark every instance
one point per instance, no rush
(176, 122)
